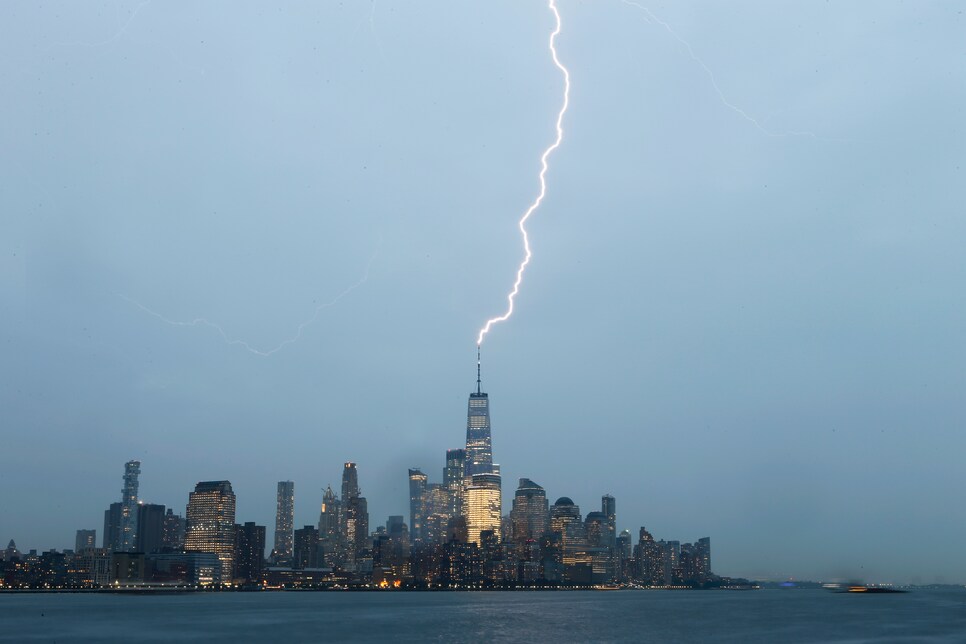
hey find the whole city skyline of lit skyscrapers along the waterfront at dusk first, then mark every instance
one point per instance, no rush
(457, 537)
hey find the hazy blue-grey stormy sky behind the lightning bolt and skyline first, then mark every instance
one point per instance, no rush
(744, 318)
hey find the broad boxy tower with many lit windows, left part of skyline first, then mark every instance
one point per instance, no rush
(211, 523)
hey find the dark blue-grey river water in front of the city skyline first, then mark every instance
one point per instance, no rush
(653, 616)
